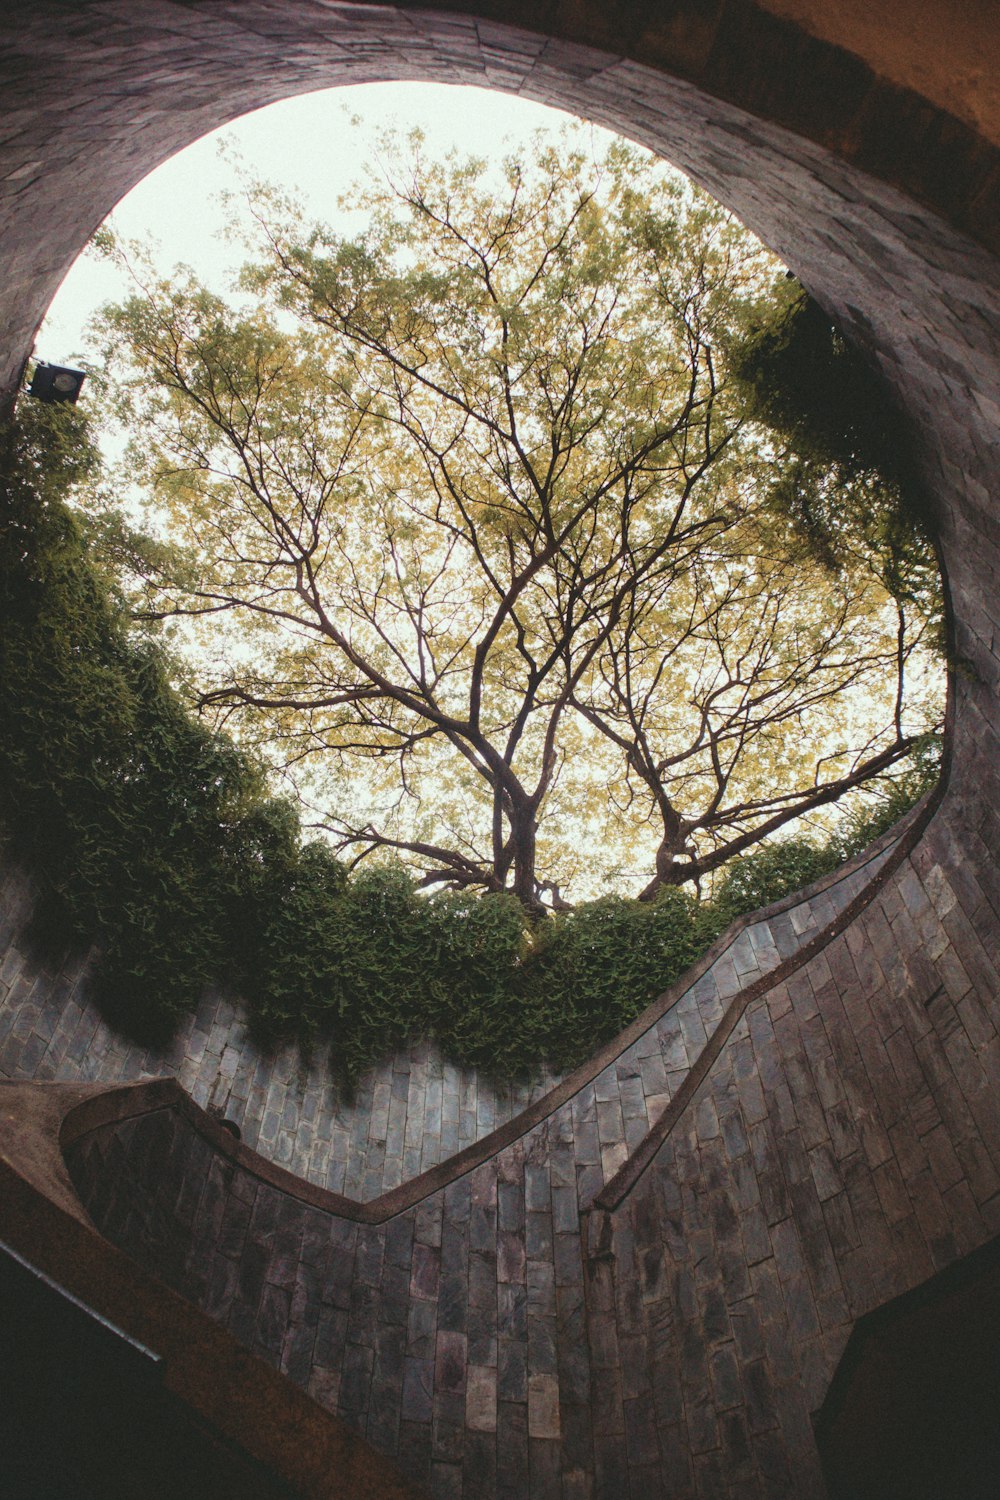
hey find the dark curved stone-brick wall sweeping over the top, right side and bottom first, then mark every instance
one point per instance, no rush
(845, 1142)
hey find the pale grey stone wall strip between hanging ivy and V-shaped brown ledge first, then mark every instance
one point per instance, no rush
(404, 1118)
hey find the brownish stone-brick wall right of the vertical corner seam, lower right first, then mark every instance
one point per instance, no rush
(845, 1148)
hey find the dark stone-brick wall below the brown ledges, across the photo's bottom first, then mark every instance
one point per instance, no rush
(509, 1336)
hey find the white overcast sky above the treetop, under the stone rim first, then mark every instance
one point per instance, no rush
(314, 143)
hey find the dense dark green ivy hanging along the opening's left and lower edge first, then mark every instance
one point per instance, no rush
(157, 839)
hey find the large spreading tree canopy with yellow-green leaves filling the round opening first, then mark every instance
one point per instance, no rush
(479, 499)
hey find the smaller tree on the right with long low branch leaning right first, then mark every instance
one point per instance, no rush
(756, 658)
